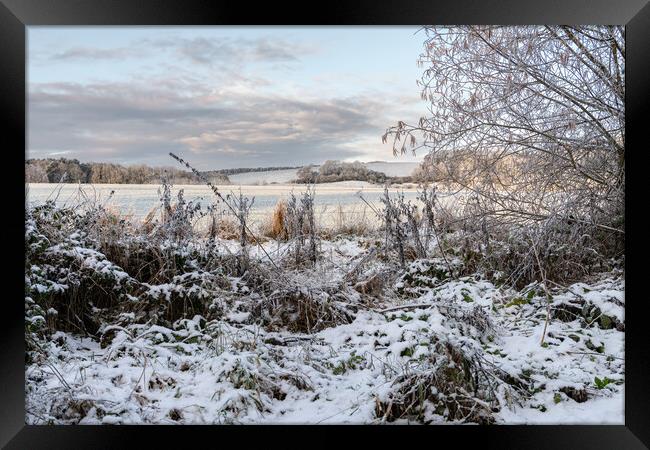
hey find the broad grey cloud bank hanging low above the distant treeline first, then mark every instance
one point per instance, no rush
(132, 123)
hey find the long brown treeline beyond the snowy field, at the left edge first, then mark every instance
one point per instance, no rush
(52, 170)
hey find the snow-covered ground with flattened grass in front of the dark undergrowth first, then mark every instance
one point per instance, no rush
(411, 347)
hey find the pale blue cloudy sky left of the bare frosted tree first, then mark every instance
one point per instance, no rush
(220, 97)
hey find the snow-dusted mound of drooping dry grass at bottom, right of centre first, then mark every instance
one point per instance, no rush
(451, 380)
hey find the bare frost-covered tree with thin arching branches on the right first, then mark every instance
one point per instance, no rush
(529, 120)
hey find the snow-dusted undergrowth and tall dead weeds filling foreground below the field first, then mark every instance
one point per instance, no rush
(294, 322)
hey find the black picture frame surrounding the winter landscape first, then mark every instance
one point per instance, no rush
(16, 15)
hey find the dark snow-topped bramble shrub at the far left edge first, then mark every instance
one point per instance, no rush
(68, 280)
